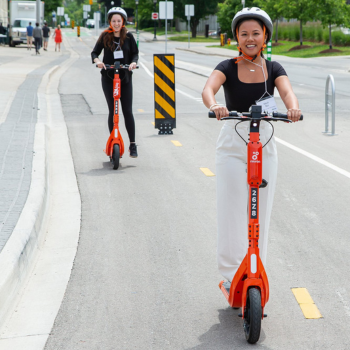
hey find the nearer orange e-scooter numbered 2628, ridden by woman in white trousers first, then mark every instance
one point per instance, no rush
(250, 287)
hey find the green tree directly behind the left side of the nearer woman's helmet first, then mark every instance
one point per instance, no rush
(227, 11)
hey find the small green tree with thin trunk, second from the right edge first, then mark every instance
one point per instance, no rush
(302, 10)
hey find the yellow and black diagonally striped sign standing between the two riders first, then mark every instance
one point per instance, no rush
(164, 92)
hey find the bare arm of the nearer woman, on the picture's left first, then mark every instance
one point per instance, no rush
(211, 87)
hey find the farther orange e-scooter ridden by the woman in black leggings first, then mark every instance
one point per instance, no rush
(115, 144)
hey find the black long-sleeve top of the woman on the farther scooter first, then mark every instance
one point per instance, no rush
(130, 51)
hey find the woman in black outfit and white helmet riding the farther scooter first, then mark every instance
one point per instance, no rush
(118, 45)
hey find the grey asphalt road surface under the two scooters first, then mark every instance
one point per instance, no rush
(145, 273)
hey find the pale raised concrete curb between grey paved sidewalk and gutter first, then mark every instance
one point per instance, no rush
(20, 249)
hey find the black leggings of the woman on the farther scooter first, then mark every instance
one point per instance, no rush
(126, 102)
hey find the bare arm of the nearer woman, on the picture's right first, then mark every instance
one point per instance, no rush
(288, 97)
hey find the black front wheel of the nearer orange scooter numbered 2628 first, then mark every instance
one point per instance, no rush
(252, 316)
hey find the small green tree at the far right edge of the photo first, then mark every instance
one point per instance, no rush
(332, 12)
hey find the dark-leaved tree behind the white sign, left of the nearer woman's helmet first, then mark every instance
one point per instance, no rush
(202, 8)
